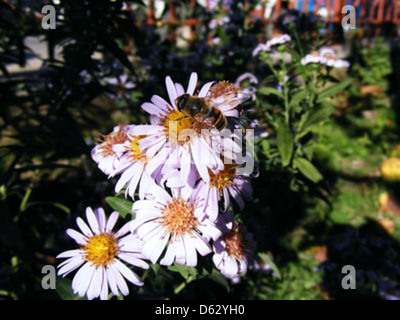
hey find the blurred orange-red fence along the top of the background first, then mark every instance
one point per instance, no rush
(371, 15)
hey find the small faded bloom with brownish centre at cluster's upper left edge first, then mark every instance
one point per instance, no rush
(107, 154)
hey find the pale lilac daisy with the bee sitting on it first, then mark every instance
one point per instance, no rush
(183, 139)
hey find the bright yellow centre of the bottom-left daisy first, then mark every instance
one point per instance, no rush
(101, 249)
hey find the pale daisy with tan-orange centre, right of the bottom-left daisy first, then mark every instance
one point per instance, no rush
(175, 223)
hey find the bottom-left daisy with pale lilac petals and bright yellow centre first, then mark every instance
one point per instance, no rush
(99, 257)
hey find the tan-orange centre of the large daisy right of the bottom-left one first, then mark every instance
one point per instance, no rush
(178, 216)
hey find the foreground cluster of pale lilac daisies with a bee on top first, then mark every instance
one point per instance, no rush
(184, 177)
